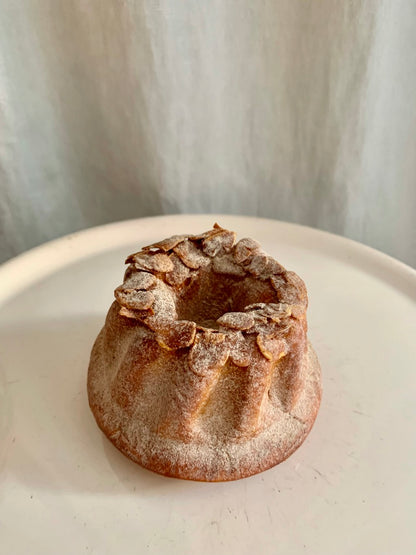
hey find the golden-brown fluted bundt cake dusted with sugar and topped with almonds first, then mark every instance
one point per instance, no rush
(203, 370)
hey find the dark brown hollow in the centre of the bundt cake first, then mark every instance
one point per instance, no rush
(209, 295)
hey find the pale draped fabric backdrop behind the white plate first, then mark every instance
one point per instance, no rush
(301, 110)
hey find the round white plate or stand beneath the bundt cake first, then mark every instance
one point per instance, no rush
(349, 489)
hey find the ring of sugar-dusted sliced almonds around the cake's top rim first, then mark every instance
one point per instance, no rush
(157, 273)
